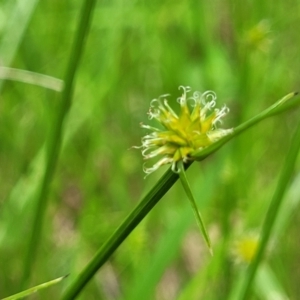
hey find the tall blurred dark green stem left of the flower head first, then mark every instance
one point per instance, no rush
(55, 137)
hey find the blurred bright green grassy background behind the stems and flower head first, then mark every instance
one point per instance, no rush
(246, 51)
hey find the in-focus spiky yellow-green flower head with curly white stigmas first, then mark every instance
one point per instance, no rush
(193, 129)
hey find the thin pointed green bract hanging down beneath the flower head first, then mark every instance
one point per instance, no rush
(197, 214)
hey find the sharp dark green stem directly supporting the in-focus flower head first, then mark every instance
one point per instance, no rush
(134, 218)
